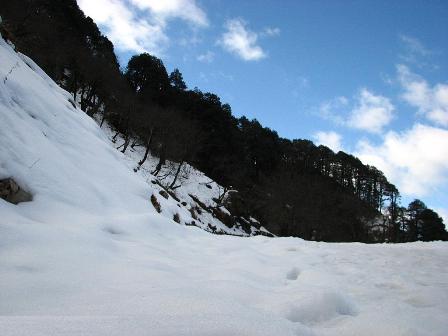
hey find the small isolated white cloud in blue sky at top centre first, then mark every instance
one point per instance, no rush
(240, 41)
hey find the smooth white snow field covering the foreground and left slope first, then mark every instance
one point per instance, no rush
(90, 255)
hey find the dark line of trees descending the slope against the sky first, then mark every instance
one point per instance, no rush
(292, 186)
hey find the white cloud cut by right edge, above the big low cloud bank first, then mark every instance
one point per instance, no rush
(432, 102)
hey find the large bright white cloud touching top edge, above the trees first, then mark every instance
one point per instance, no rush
(140, 25)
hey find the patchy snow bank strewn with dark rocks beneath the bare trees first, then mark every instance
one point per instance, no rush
(194, 198)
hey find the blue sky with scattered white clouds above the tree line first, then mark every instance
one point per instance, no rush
(367, 77)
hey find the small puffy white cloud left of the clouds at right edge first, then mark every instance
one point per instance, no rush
(372, 112)
